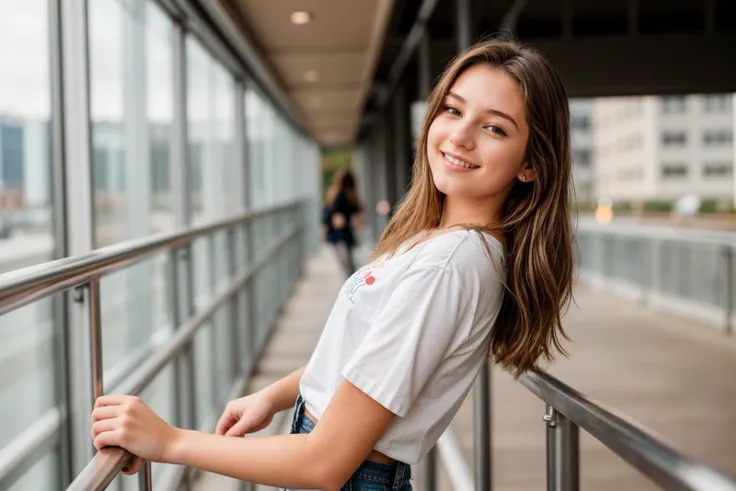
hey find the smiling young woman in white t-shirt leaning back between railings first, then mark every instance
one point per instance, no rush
(476, 261)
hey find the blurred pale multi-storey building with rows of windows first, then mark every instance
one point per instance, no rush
(663, 148)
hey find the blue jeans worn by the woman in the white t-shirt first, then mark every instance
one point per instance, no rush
(370, 476)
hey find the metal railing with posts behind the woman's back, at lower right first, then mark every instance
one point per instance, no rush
(567, 411)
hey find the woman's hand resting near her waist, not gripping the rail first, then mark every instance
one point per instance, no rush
(246, 415)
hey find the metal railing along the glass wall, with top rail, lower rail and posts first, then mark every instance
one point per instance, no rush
(24, 286)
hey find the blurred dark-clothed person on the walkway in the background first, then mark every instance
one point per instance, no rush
(340, 216)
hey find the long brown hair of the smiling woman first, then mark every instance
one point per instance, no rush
(536, 227)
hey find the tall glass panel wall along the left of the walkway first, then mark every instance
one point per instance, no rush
(132, 167)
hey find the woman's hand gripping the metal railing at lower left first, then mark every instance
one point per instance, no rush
(125, 421)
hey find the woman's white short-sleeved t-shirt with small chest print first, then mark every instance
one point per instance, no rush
(412, 332)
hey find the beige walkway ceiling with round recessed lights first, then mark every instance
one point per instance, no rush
(325, 66)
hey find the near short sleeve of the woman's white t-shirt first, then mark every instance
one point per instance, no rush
(409, 338)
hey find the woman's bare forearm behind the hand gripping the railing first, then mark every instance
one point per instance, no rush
(284, 461)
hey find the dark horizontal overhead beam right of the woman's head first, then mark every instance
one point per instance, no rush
(666, 64)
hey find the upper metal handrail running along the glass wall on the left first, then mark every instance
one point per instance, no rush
(27, 285)
